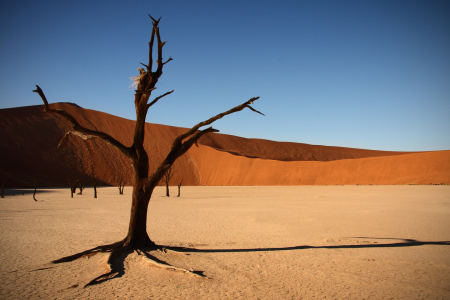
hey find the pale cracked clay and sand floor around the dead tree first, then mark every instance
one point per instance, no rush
(258, 243)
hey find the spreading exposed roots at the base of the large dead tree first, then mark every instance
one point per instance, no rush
(115, 265)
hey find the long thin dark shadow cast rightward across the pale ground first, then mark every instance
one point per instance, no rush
(403, 243)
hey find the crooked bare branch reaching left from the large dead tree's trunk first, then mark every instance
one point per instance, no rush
(79, 130)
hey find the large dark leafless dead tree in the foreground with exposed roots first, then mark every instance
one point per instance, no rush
(144, 183)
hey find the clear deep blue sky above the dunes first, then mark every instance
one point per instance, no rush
(361, 74)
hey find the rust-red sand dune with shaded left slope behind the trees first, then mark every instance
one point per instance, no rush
(29, 139)
